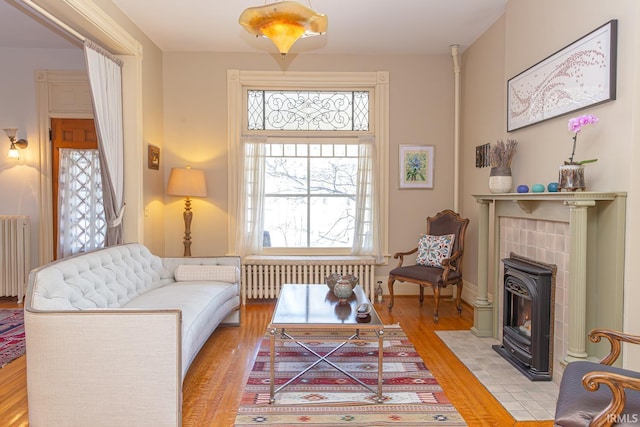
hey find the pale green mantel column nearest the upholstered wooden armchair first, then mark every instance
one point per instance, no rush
(483, 309)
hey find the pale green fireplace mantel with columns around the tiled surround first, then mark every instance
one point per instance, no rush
(596, 257)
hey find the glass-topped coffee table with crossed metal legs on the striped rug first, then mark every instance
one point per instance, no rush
(304, 309)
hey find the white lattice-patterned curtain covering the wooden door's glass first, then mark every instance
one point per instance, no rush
(81, 219)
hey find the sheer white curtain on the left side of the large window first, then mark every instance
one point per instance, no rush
(250, 221)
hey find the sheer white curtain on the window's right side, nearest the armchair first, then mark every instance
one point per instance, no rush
(367, 239)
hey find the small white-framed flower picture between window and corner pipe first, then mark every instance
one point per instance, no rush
(416, 166)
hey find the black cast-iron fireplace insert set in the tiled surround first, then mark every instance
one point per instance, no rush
(527, 323)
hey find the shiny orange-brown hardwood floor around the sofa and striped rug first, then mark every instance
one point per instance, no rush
(214, 383)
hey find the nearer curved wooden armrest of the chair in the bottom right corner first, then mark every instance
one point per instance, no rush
(617, 383)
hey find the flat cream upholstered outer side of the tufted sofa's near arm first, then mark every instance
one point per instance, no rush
(104, 367)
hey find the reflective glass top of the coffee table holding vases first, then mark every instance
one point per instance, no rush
(316, 305)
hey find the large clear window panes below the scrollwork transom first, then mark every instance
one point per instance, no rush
(310, 194)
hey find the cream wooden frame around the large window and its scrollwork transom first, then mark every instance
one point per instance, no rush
(238, 81)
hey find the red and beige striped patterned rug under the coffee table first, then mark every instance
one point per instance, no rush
(326, 397)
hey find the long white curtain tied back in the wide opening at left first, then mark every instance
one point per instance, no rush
(105, 79)
